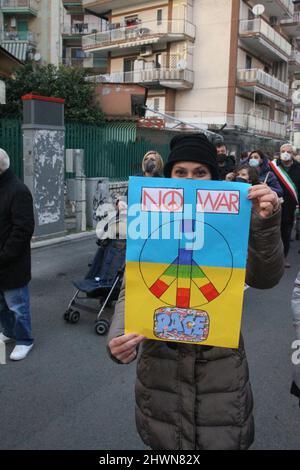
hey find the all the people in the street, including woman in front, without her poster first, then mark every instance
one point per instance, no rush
(188, 397)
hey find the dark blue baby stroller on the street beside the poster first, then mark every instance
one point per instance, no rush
(103, 282)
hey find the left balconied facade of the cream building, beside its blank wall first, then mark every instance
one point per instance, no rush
(147, 42)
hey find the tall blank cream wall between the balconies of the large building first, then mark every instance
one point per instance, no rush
(211, 58)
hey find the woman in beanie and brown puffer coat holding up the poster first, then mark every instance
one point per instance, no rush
(193, 397)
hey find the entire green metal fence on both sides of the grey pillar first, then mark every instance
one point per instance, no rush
(110, 150)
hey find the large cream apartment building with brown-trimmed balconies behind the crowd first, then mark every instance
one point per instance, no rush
(207, 63)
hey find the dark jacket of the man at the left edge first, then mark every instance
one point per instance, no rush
(16, 229)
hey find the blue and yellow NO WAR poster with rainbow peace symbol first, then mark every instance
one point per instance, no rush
(187, 243)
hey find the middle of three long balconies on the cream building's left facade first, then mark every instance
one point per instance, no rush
(138, 35)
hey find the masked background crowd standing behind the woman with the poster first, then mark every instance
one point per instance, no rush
(280, 172)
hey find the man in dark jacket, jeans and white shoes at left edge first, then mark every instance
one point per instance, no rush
(16, 229)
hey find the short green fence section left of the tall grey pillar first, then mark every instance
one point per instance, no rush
(11, 141)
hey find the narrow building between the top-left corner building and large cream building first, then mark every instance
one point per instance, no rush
(77, 23)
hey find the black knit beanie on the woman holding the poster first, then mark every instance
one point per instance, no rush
(192, 148)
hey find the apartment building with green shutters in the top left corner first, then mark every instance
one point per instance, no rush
(30, 29)
